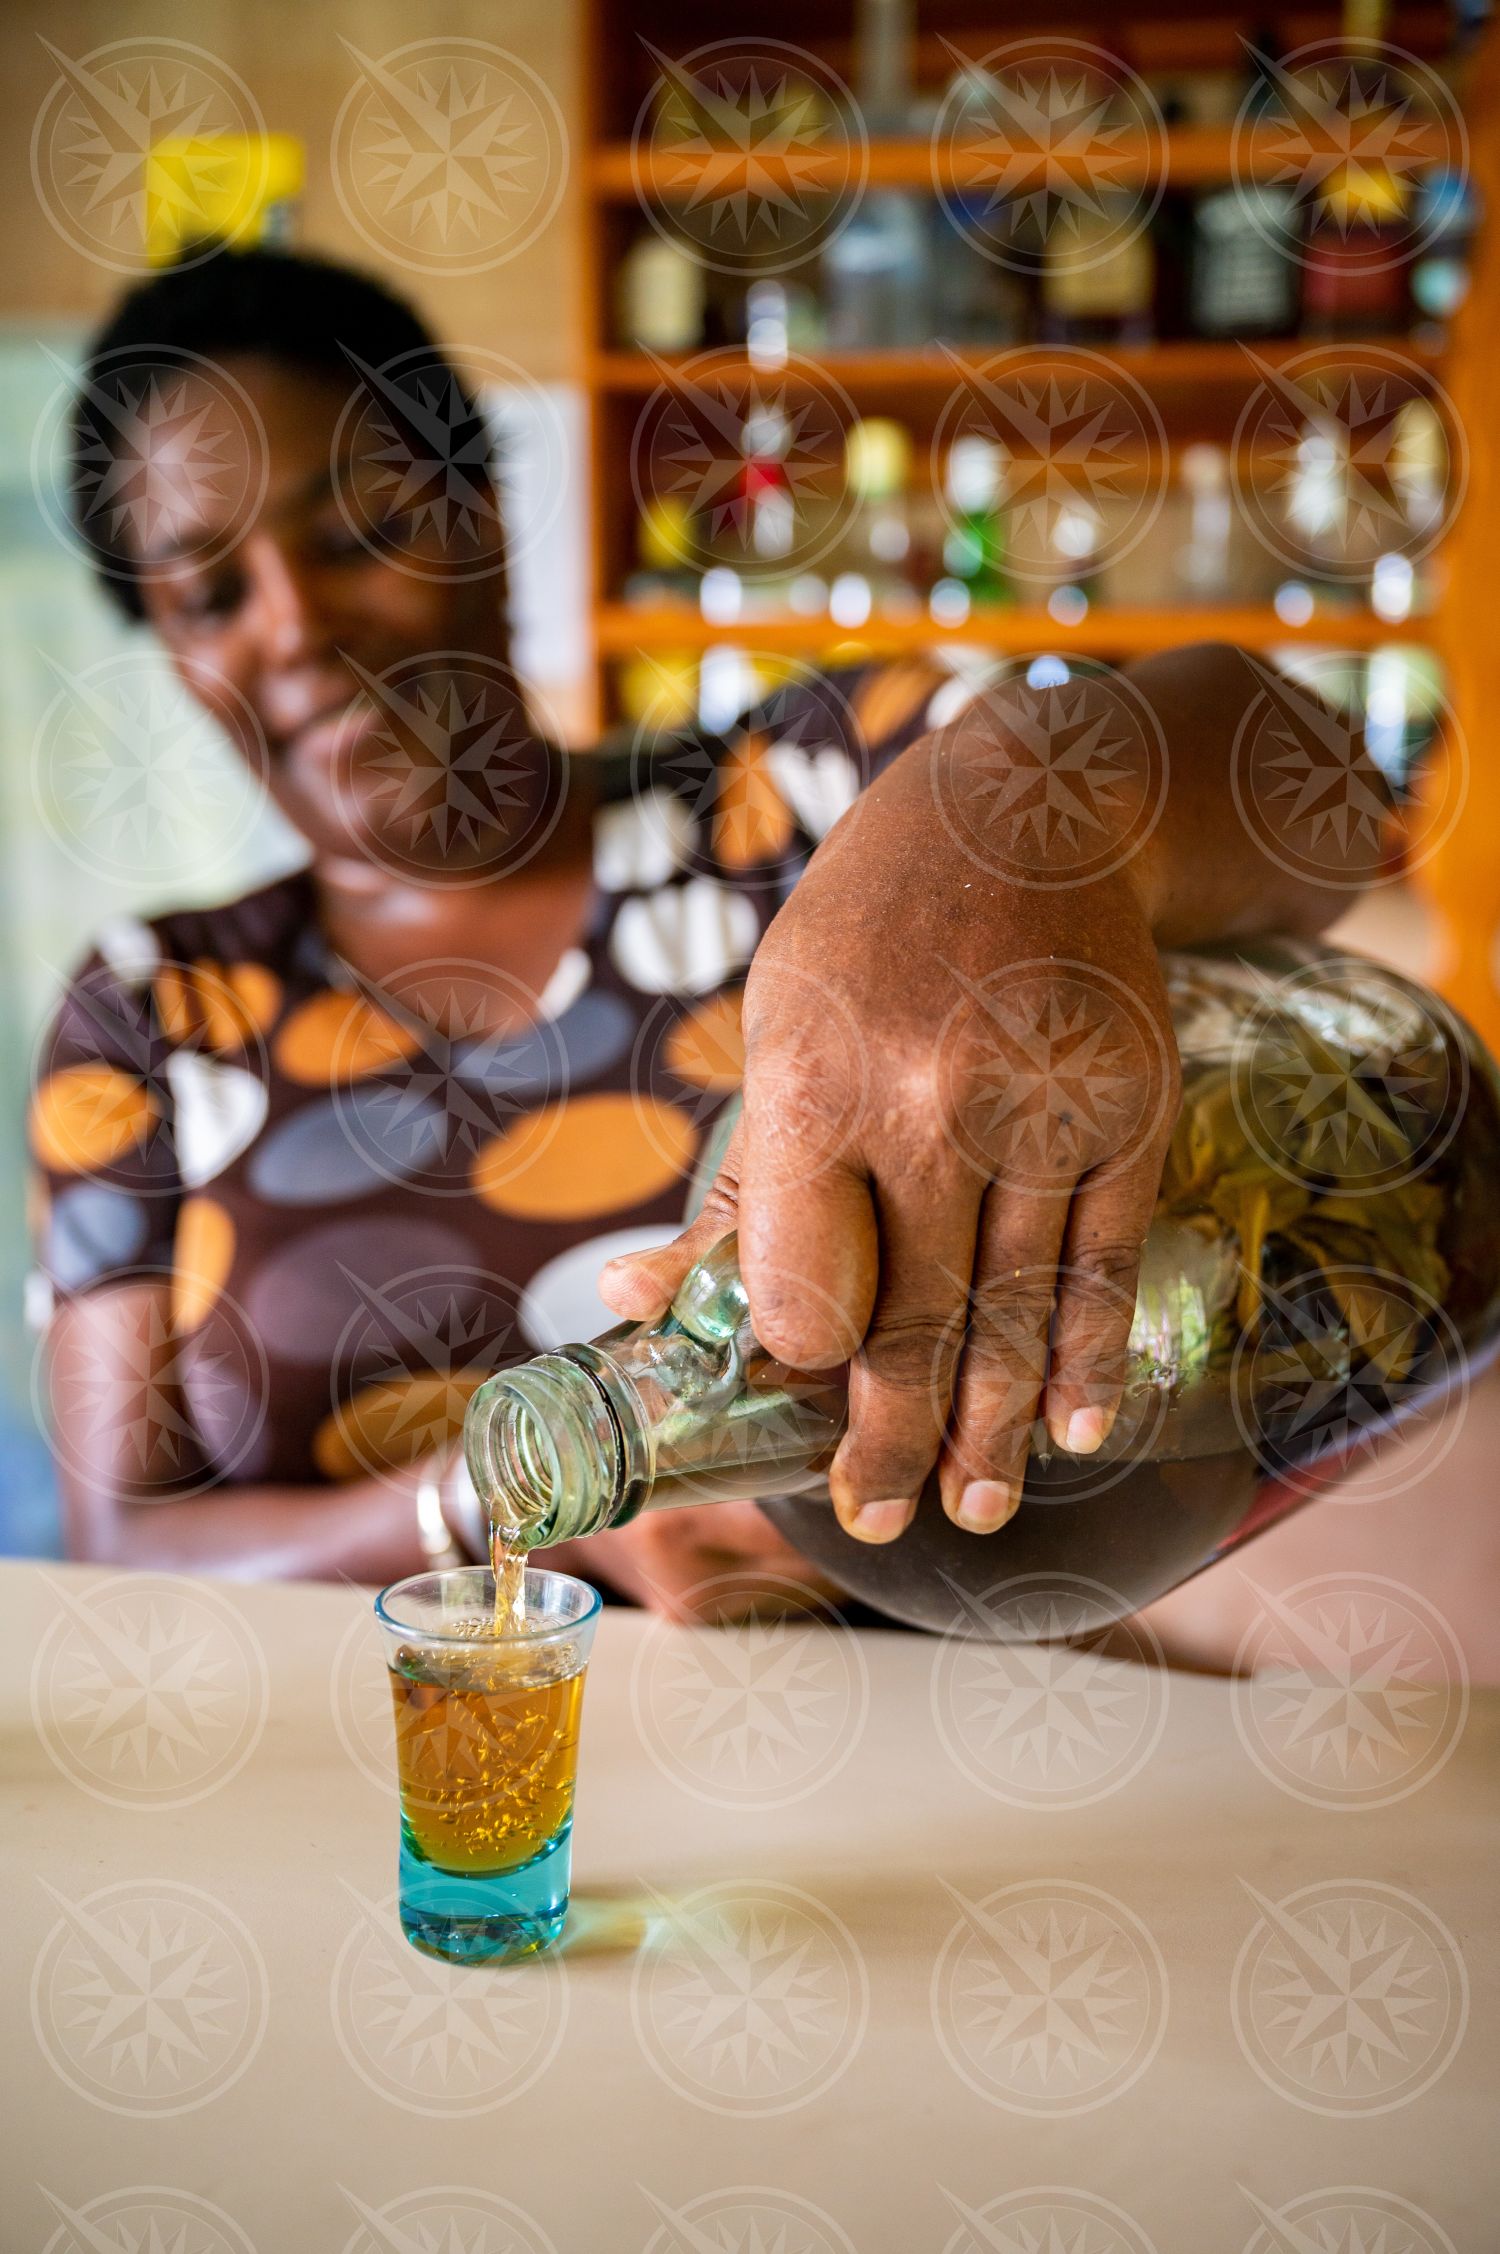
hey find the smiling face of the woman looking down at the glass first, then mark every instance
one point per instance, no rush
(344, 619)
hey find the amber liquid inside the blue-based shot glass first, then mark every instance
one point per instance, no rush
(486, 1755)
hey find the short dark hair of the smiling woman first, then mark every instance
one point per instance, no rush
(283, 305)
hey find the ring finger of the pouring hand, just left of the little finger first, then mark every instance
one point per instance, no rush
(1005, 1356)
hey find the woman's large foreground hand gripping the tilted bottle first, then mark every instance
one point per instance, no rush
(958, 1099)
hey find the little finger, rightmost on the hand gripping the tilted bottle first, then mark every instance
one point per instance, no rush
(1091, 1333)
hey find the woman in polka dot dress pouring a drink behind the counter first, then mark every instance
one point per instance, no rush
(321, 1157)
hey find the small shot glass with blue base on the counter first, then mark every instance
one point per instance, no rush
(486, 1737)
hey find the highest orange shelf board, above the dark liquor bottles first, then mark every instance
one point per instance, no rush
(1185, 157)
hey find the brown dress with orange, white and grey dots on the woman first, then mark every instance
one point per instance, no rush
(367, 1209)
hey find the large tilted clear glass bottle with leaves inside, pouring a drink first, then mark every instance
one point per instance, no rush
(1300, 1290)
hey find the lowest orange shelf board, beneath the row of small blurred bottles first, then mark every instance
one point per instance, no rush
(1106, 632)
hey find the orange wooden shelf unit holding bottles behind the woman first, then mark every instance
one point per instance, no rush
(1197, 384)
